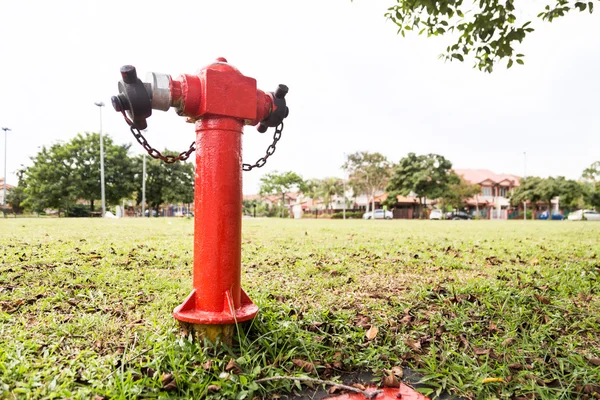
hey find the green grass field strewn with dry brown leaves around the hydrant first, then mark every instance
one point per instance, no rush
(85, 308)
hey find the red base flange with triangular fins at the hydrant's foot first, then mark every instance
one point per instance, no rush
(189, 312)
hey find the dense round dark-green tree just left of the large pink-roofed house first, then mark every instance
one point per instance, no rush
(427, 176)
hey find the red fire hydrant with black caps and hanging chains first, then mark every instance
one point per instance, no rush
(220, 101)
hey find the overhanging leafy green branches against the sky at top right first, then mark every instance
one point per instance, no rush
(487, 29)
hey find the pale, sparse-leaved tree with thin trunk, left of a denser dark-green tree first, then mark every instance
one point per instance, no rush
(367, 173)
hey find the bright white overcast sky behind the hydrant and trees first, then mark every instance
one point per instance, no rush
(354, 83)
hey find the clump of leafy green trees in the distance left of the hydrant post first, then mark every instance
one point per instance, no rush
(64, 173)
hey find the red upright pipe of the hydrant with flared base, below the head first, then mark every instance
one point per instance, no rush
(217, 297)
